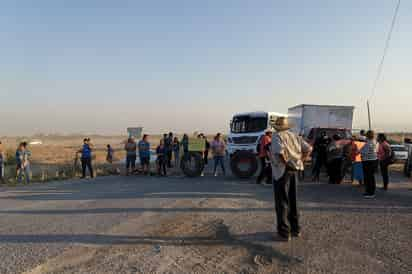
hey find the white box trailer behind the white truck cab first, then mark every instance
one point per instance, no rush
(306, 117)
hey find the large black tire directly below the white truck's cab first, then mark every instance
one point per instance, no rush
(244, 164)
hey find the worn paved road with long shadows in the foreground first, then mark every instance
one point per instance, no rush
(204, 225)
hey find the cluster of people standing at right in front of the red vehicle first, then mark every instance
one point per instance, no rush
(362, 154)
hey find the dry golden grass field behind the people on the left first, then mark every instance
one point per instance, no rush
(56, 157)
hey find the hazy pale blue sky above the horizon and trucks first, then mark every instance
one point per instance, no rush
(184, 65)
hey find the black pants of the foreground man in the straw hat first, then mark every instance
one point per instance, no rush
(285, 191)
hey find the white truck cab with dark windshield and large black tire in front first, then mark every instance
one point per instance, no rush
(246, 129)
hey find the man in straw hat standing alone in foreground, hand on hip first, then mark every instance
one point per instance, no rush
(288, 152)
